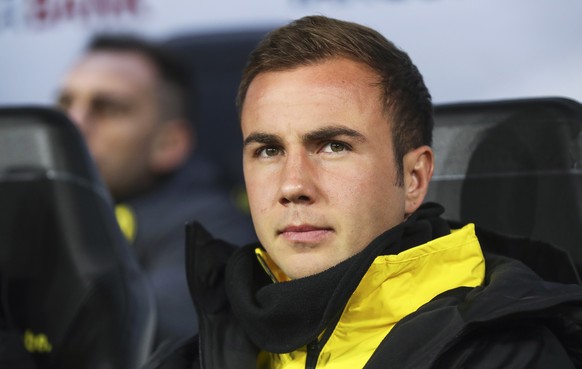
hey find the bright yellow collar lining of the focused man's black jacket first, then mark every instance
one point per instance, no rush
(384, 296)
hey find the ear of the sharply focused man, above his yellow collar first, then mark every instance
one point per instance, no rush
(418, 169)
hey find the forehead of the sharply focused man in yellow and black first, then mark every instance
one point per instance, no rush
(330, 92)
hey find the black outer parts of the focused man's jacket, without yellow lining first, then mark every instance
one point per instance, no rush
(528, 314)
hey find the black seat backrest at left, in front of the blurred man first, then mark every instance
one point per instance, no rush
(69, 283)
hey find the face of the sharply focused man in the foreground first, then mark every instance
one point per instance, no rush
(319, 164)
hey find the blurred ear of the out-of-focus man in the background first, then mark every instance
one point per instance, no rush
(172, 145)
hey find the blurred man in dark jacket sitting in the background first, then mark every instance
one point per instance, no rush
(128, 96)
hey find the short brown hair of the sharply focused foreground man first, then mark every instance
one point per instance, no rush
(313, 39)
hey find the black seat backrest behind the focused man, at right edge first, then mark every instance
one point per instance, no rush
(513, 166)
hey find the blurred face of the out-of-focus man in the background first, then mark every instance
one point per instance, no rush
(111, 97)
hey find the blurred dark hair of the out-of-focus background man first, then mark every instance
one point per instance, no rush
(174, 76)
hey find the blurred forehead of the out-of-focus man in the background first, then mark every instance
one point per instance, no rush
(111, 70)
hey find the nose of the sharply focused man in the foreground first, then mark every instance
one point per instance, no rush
(298, 180)
